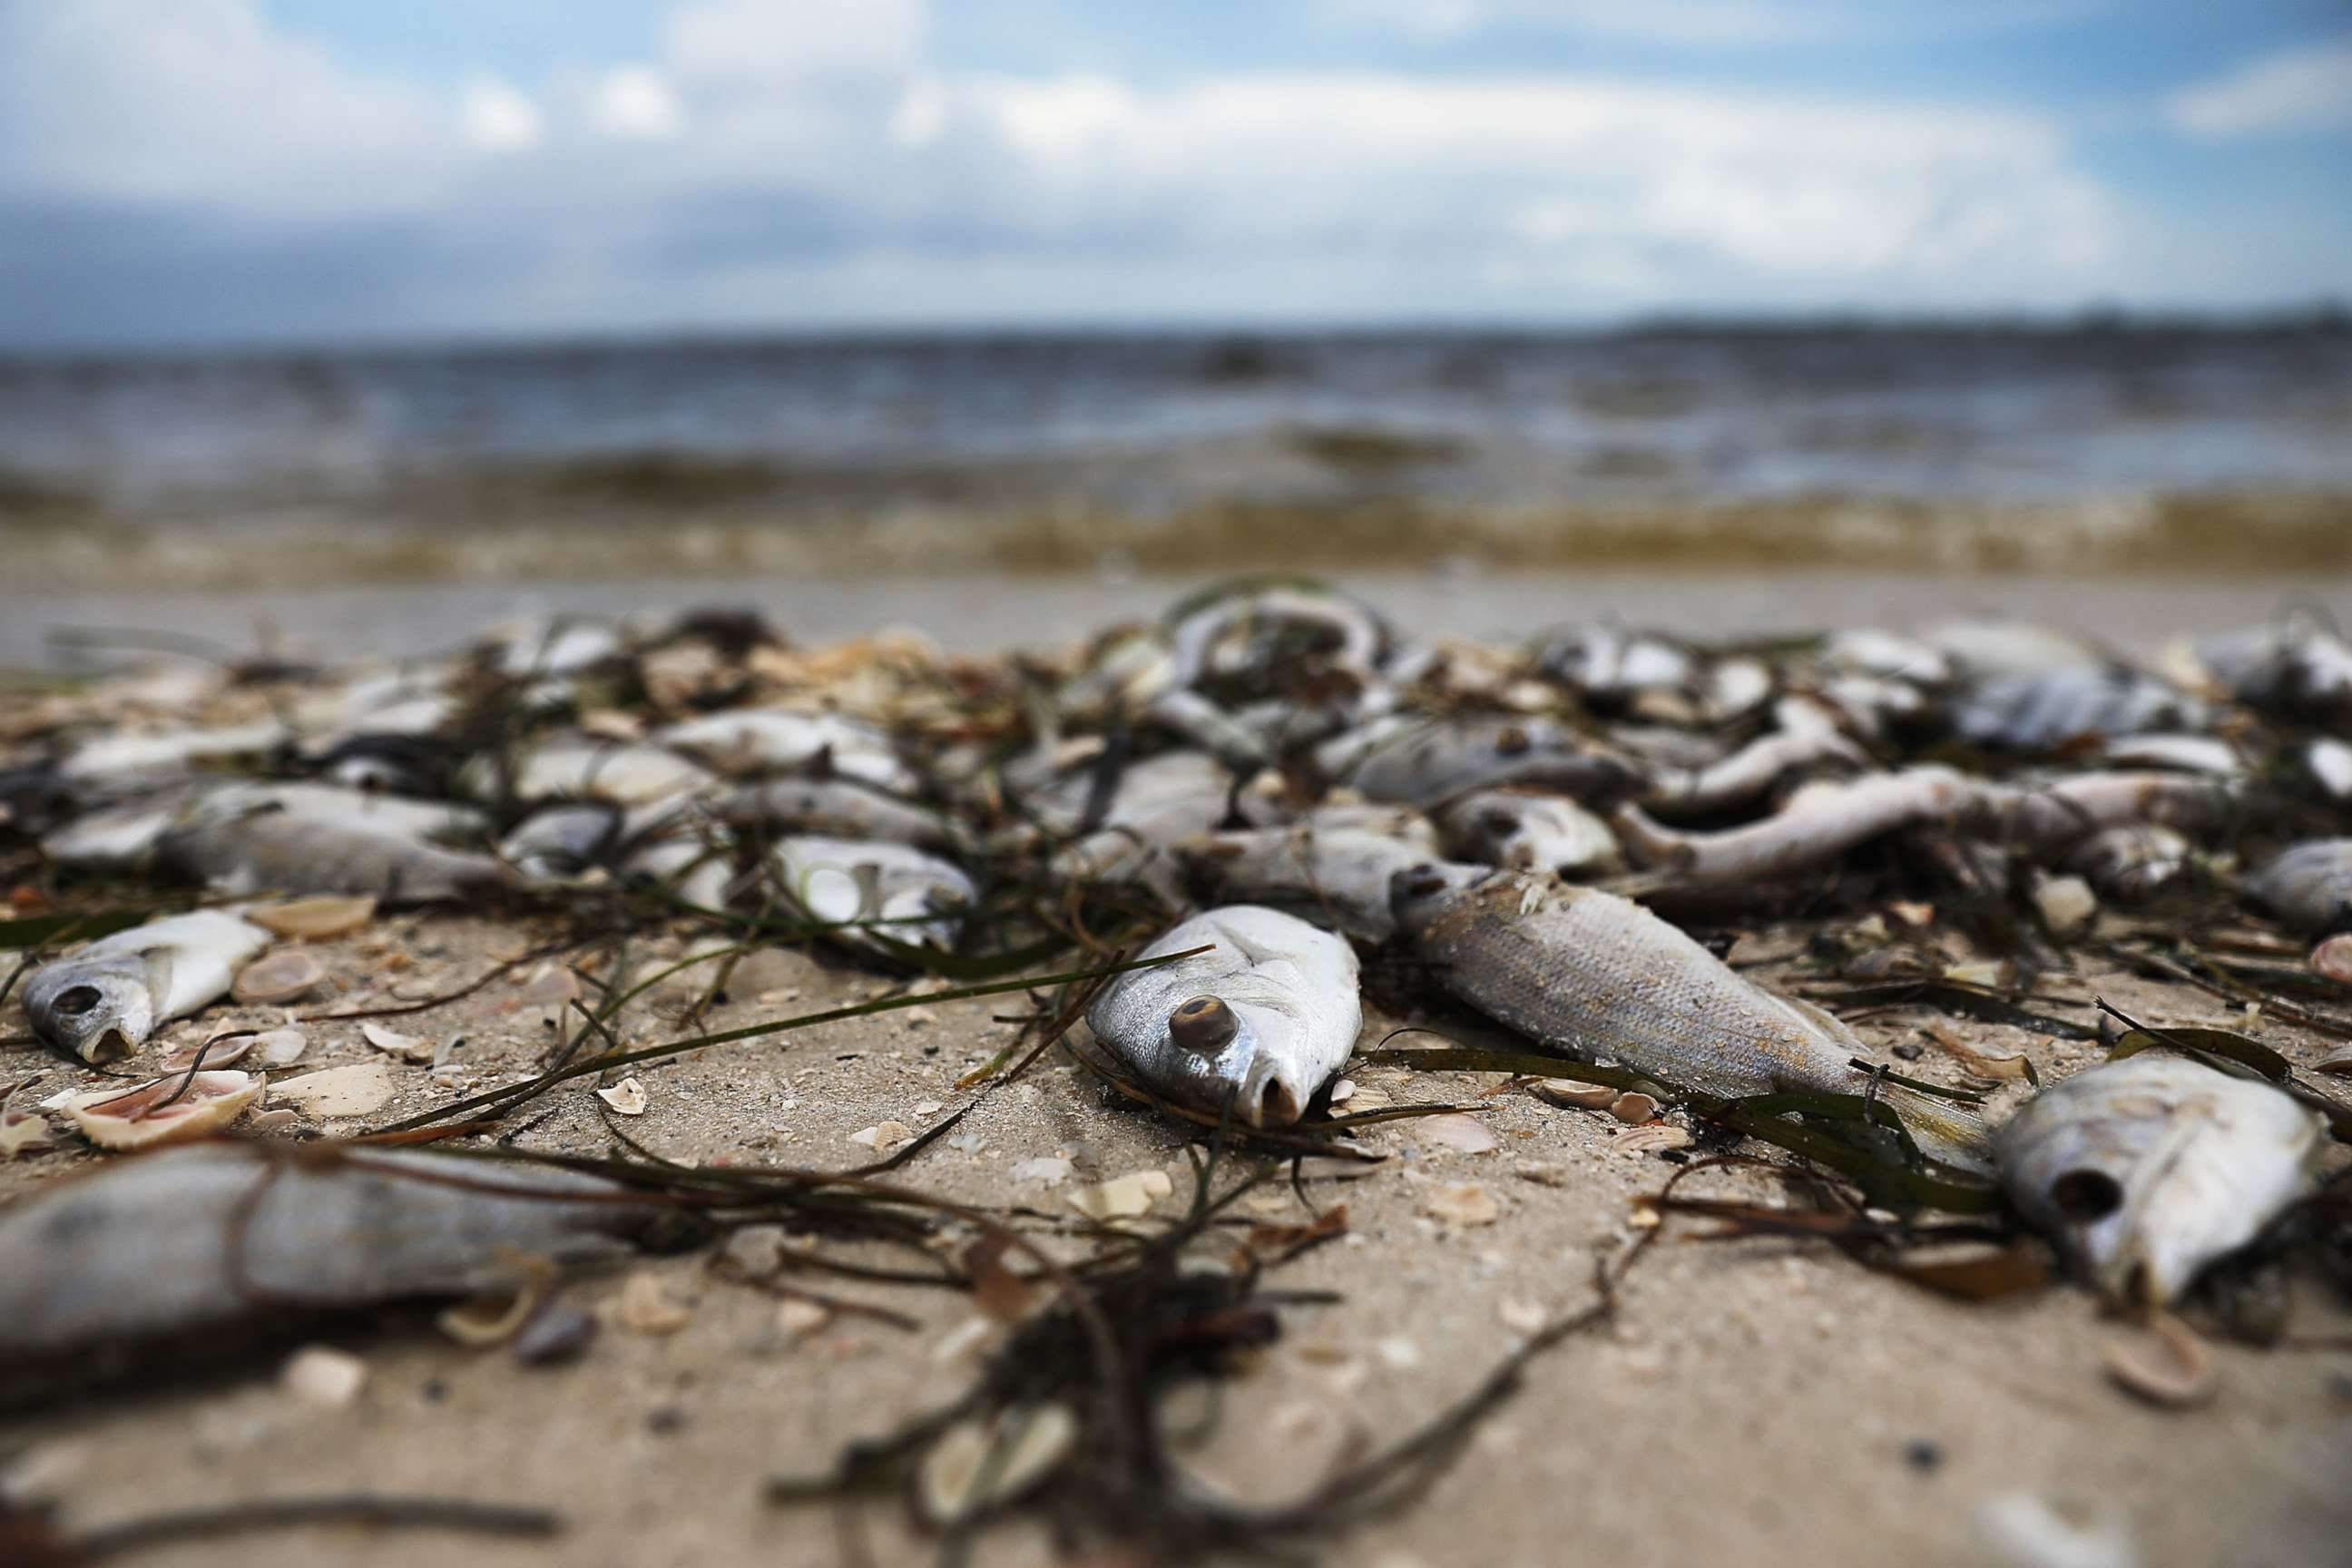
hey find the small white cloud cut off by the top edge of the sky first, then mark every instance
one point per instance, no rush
(794, 39)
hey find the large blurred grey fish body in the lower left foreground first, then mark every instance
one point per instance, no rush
(185, 1242)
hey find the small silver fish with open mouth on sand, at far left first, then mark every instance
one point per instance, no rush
(105, 1000)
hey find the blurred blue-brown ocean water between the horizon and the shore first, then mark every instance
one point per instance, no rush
(770, 434)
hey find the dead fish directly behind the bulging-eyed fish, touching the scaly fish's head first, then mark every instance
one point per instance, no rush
(1330, 869)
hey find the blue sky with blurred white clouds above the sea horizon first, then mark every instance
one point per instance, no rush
(312, 170)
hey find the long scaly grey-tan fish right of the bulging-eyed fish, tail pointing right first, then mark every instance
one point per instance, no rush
(1598, 974)
